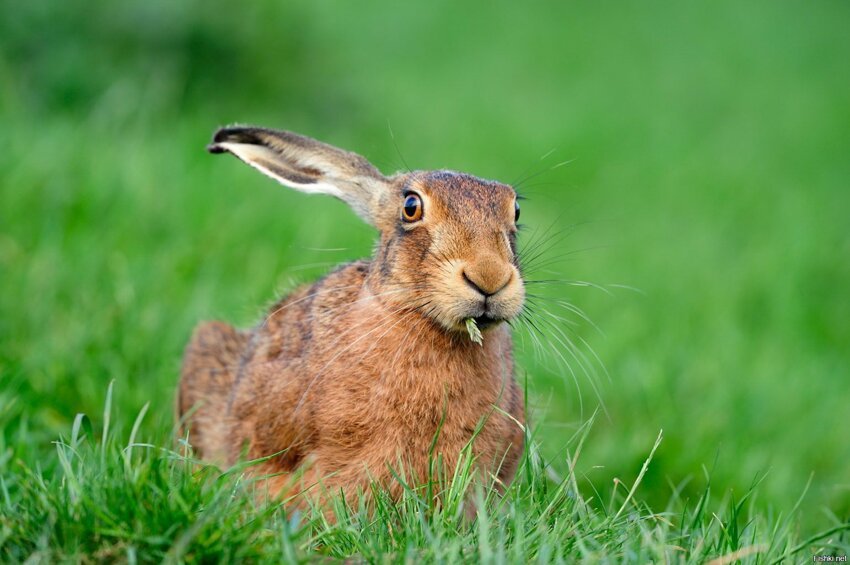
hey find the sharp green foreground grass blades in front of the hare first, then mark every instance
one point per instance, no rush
(117, 497)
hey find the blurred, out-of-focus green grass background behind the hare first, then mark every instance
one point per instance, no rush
(707, 167)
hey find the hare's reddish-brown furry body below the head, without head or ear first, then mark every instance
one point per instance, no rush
(351, 394)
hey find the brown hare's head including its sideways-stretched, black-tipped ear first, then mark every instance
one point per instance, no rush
(448, 240)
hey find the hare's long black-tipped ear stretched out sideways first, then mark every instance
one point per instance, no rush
(308, 165)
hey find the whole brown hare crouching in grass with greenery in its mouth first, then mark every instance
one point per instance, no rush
(371, 367)
